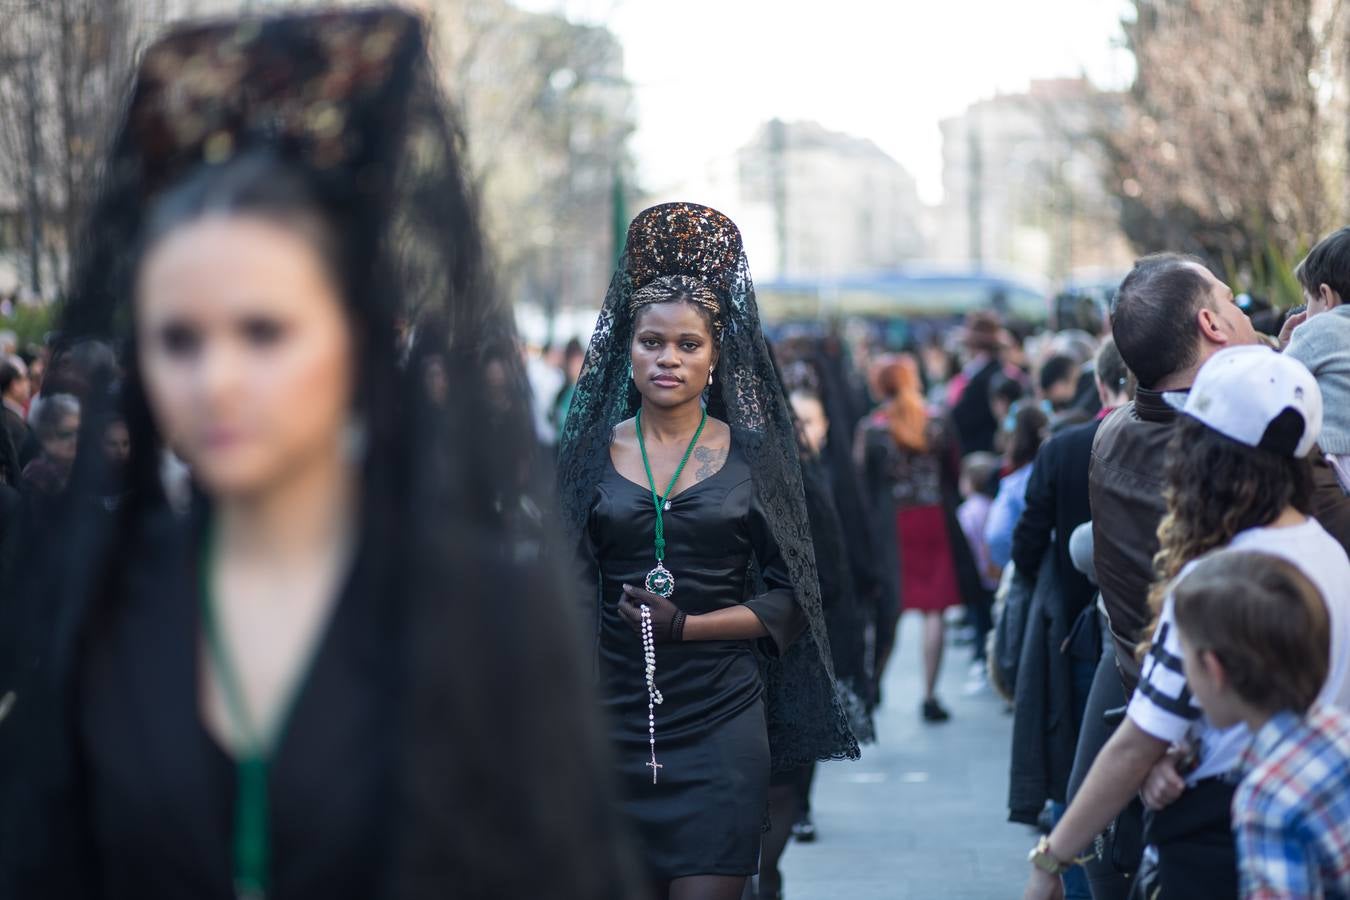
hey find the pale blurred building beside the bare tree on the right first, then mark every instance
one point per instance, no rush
(1024, 184)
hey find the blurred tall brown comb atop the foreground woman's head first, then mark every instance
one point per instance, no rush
(323, 88)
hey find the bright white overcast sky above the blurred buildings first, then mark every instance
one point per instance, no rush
(709, 72)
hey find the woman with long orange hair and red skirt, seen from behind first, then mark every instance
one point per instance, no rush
(911, 469)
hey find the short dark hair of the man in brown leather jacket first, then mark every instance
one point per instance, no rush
(1154, 316)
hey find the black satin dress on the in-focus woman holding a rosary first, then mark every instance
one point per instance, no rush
(707, 812)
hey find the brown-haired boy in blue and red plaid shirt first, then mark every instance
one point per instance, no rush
(1255, 636)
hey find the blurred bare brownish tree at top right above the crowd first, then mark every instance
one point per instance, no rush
(1221, 152)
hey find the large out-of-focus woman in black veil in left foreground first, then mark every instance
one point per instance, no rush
(439, 739)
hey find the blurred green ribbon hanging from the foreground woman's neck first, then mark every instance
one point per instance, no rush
(252, 849)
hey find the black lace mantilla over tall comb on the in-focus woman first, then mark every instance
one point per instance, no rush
(807, 719)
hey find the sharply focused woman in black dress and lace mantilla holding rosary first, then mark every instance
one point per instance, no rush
(681, 481)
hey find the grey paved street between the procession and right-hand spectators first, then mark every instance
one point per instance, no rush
(923, 814)
